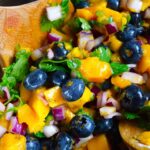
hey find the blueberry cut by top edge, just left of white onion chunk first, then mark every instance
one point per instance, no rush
(113, 4)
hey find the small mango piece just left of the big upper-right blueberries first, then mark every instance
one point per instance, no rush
(114, 43)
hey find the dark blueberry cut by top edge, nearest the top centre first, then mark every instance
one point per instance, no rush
(80, 3)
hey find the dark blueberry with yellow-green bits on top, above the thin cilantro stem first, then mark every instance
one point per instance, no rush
(60, 51)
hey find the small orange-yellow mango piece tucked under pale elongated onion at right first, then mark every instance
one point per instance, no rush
(120, 82)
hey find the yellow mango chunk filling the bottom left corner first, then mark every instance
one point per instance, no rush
(13, 142)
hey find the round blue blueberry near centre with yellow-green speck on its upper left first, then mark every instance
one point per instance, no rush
(73, 89)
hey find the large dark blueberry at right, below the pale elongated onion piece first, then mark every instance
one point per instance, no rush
(133, 98)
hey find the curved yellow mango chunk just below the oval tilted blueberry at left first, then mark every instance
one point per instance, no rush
(38, 105)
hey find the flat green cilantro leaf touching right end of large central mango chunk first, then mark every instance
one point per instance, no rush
(118, 68)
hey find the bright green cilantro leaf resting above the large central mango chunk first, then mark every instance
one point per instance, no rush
(103, 53)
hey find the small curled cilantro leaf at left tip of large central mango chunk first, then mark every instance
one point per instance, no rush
(73, 63)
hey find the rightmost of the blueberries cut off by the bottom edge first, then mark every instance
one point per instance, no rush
(63, 141)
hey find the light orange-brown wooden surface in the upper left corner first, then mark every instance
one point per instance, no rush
(20, 25)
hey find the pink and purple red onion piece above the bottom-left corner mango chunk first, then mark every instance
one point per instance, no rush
(16, 127)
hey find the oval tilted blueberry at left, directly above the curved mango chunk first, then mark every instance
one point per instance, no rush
(35, 79)
